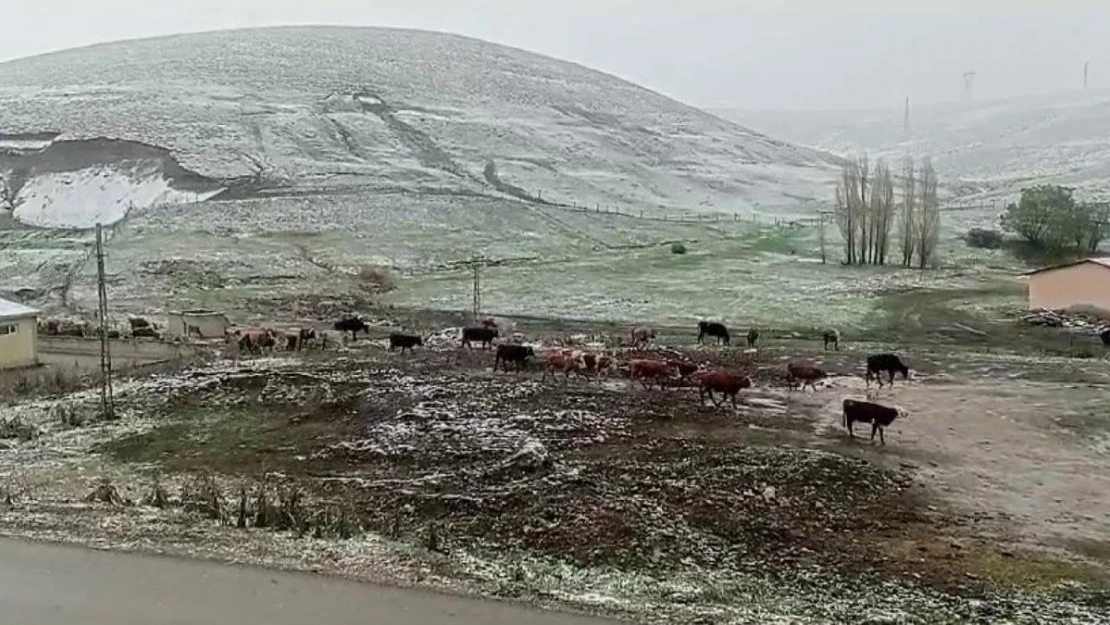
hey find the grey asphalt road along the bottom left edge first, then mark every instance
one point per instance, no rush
(59, 586)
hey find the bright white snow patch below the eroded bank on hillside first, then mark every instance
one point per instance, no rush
(102, 195)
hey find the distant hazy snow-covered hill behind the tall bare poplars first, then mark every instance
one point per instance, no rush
(983, 150)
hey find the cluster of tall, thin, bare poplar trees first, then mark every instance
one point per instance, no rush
(871, 203)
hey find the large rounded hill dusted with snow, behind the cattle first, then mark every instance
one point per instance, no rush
(314, 110)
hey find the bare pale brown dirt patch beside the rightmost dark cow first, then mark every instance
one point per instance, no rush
(1023, 458)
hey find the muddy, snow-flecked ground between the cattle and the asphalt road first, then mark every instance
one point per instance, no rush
(990, 501)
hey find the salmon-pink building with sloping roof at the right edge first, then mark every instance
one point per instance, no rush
(1081, 284)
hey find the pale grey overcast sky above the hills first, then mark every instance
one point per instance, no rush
(739, 54)
